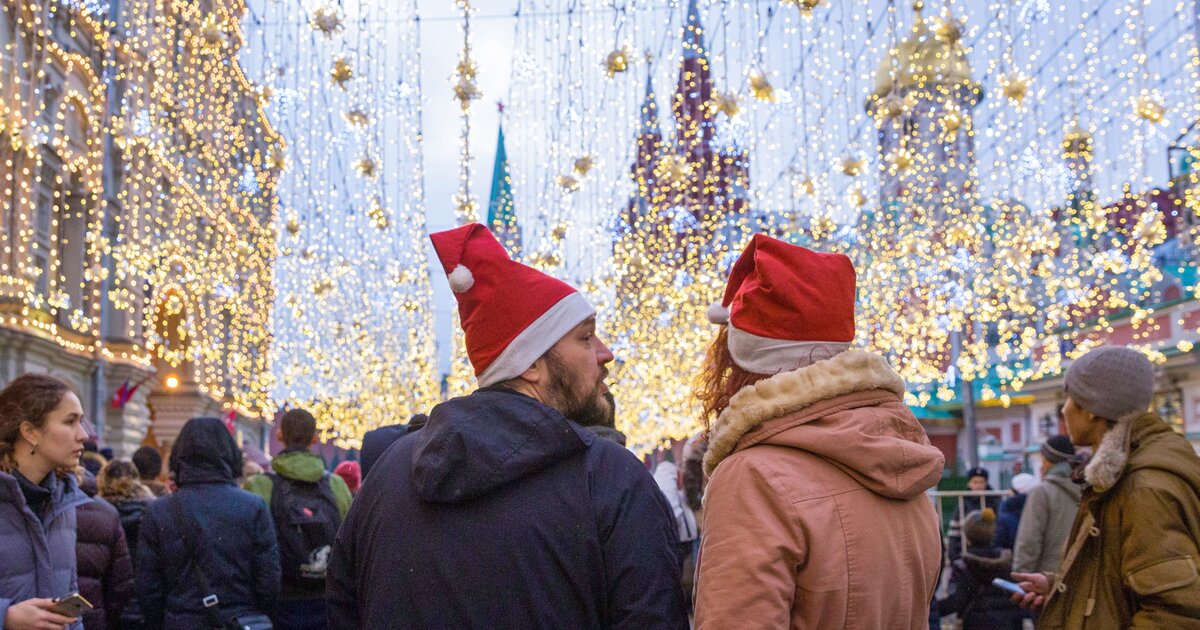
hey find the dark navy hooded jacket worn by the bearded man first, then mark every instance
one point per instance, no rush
(503, 514)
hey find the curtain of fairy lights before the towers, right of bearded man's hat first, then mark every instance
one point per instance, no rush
(986, 165)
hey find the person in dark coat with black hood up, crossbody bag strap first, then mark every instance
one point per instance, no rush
(233, 530)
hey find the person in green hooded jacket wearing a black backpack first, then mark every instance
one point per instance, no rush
(309, 506)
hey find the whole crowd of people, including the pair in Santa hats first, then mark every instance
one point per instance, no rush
(801, 505)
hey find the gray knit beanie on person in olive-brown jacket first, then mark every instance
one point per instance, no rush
(1112, 382)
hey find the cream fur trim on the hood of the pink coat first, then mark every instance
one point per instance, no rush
(791, 392)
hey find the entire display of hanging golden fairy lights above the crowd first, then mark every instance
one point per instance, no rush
(1006, 176)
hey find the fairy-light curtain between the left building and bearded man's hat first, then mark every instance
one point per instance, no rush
(353, 310)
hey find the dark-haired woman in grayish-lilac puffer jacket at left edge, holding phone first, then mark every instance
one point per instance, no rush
(41, 441)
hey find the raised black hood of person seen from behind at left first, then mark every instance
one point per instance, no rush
(206, 454)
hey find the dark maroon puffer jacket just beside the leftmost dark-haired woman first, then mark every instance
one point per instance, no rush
(106, 574)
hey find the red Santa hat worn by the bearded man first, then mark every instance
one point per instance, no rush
(511, 314)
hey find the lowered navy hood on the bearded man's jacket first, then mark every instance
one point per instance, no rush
(478, 443)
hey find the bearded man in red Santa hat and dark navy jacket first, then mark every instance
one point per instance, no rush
(505, 512)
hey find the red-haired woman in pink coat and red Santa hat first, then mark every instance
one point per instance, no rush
(815, 513)
